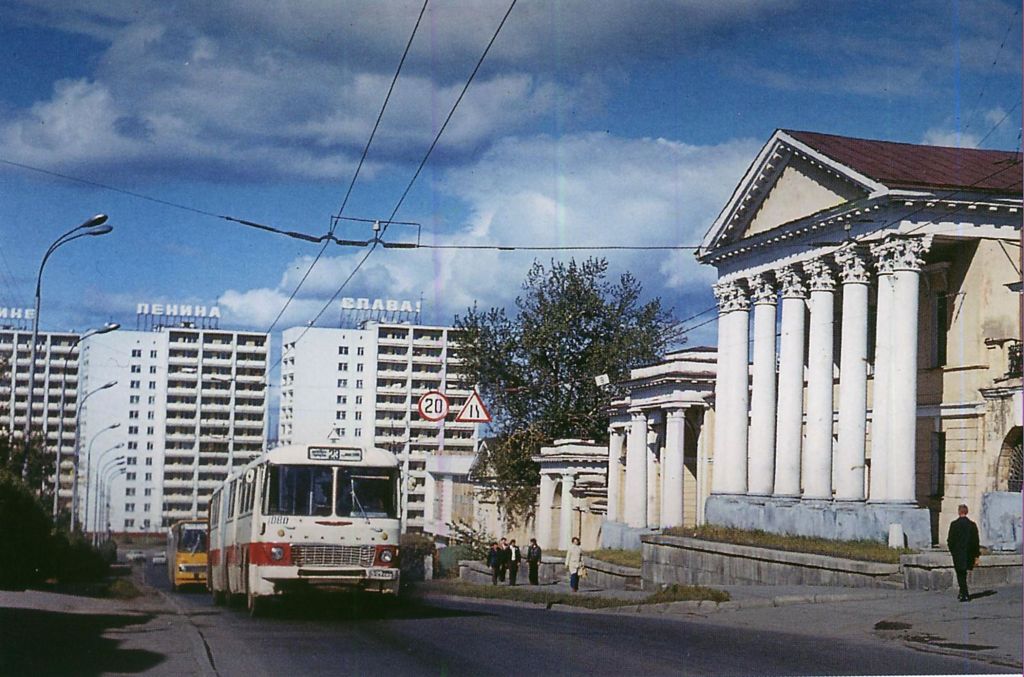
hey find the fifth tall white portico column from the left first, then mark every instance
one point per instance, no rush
(852, 376)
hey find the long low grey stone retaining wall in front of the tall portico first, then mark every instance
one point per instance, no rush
(670, 560)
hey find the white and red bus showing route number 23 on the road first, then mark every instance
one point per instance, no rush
(307, 518)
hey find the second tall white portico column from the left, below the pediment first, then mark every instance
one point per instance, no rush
(761, 468)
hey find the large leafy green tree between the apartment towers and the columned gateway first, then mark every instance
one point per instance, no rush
(537, 370)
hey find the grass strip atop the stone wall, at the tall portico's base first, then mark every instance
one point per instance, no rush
(872, 552)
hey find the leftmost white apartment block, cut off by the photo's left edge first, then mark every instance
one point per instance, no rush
(57, 371)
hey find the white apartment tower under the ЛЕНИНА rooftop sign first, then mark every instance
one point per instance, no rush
(190, 405)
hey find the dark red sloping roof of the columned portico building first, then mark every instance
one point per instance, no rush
(911, 166)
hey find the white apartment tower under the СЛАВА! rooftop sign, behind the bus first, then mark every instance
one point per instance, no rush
(363, 386)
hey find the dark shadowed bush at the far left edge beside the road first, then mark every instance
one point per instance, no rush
(26, 527)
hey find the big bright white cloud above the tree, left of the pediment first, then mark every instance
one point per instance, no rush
(590, 189)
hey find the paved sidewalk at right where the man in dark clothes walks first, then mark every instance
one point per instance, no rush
(990, 628)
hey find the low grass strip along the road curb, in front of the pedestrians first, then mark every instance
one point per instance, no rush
(586, 601)
